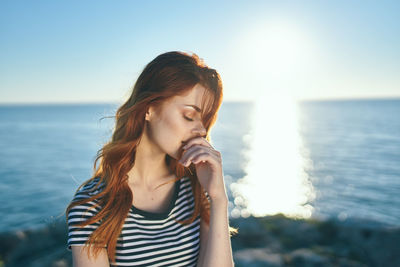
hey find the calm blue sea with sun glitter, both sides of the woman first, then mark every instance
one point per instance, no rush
(317, 159)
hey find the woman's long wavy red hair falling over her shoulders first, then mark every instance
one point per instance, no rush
(169, 74)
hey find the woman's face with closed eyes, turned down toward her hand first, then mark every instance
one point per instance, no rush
(176, 121)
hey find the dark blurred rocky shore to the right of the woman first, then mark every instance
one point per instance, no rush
(279, 241)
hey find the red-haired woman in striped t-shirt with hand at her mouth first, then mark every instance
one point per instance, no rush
(158, 196)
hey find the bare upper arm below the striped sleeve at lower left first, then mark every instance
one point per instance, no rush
(81, 259)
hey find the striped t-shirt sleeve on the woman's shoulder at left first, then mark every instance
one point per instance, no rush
(77, 235)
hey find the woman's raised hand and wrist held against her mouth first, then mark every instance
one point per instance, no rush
(208, 163)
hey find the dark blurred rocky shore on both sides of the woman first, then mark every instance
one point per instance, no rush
(262, 241)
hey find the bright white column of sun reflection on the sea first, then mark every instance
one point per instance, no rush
(276, 180)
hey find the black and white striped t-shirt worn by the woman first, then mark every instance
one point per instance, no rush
(147, 239)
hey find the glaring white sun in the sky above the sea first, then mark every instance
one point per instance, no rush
(276, 48)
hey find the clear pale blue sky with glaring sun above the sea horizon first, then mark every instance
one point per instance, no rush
(93, 51)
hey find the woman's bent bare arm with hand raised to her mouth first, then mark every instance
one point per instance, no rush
(217, 250)
